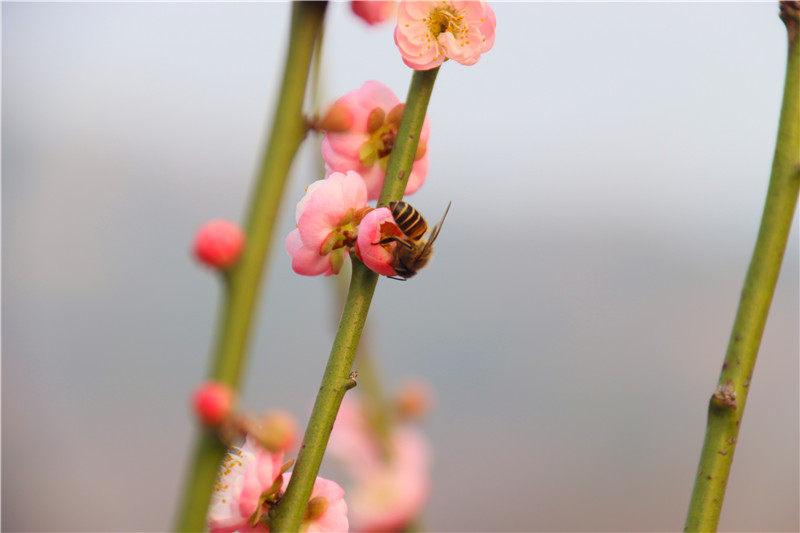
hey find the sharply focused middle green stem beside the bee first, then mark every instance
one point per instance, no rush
(288, 514)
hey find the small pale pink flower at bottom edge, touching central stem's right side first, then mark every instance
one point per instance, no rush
(326, 511)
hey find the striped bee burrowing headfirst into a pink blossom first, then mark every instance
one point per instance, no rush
(413, 250)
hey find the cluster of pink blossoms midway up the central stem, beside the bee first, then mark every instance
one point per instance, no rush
(333, 218)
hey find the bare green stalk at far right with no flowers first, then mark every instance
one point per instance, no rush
(727, 404)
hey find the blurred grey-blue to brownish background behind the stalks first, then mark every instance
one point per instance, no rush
(607, 165)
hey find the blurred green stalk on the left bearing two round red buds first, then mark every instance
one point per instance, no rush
(243, 281)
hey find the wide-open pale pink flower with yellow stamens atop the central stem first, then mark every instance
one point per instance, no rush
(430, 32)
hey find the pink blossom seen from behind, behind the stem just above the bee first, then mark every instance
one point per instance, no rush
(374, 112)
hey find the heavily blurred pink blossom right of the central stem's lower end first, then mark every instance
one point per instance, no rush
(387, 494)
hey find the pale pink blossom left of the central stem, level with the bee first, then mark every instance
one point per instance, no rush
(327, 220)
